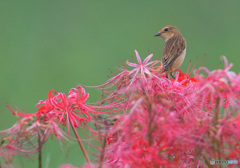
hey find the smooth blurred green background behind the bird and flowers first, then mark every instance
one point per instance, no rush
(58, 44)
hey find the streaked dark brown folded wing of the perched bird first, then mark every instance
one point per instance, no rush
(172, 49)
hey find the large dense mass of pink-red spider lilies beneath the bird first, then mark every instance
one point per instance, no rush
(168, 122)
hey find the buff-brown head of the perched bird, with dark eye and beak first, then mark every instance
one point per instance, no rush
(167, 32)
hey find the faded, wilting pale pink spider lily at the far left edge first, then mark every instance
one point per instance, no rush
(22, 138)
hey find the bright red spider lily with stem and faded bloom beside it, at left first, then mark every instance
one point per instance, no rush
(69, 110)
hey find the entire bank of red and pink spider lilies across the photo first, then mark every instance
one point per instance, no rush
(159, 122)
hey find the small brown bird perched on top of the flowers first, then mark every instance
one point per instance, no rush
(174, 50)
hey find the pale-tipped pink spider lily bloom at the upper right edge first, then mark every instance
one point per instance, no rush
(218, 85)
